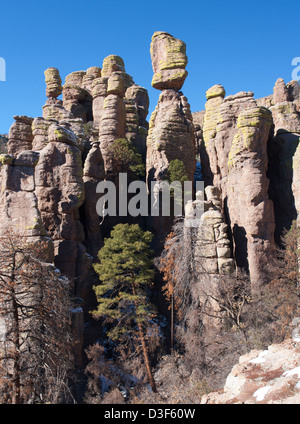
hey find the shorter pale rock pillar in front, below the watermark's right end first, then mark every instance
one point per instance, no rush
(212, 260)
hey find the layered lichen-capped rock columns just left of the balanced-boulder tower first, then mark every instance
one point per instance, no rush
(120, 108)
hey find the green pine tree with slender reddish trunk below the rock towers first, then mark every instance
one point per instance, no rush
(125, 271)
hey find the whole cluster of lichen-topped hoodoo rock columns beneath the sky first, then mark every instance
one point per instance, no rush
(250, 164)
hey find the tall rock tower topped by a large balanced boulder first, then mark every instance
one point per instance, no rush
(171, 132)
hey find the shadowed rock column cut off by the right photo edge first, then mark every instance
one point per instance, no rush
(282, 152)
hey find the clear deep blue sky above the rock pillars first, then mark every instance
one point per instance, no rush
(243, 45)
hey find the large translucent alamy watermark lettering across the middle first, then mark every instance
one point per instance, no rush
(161, 199)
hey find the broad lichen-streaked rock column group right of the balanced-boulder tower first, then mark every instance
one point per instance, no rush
(234, 158)
